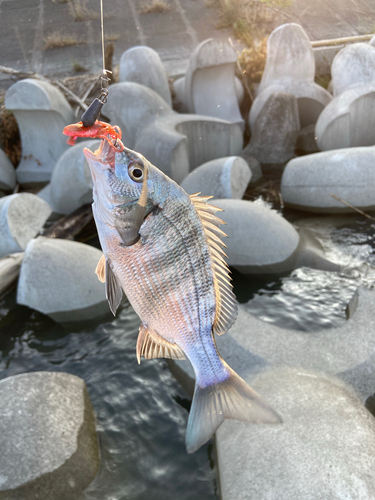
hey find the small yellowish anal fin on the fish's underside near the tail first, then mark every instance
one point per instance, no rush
(152, 345)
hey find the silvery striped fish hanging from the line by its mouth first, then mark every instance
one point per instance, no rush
(164, 249)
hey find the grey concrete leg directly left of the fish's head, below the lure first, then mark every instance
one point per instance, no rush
(71, 183)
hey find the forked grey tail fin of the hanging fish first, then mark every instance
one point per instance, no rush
(233, 399)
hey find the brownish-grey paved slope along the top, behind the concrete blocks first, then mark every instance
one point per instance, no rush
(174, 34)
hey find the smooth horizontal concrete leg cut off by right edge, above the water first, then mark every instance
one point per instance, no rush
(309, 181)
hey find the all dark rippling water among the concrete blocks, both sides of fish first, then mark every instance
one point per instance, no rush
(141, 409)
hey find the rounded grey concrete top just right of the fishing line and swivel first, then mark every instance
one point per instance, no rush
(143, 65)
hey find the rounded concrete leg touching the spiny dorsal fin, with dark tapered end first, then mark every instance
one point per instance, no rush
(260, 241)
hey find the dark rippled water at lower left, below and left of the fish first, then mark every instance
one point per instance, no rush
(141, 425)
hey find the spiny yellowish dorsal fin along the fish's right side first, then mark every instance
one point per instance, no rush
(226, 304)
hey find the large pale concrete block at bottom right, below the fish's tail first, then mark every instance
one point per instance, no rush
(322, 450)
